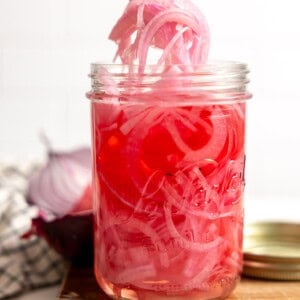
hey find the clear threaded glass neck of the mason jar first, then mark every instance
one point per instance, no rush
(219, 81)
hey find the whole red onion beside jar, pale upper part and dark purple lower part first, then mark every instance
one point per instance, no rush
(62, 192)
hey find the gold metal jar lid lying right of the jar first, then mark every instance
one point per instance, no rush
(272, 250)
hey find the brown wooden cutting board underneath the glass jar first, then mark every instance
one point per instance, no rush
(80, 284)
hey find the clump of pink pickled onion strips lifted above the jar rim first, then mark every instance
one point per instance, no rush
(178, 28)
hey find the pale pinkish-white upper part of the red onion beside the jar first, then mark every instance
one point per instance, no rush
(62, 186)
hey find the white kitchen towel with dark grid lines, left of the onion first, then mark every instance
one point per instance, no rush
(24, 263)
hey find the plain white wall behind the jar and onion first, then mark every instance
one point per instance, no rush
(46, 47)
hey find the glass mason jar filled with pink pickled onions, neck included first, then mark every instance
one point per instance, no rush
(168, 179)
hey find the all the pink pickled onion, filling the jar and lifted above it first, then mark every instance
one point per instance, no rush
(170, 175)
